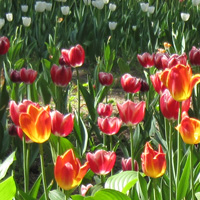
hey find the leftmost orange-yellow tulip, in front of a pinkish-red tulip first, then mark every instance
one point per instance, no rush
(36, 123)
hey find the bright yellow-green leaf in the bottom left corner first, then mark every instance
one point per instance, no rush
(8, 189)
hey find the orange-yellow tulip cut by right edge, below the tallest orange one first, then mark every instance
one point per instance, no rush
(189, 129)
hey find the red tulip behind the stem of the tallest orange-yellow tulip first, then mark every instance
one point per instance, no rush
(170, 107)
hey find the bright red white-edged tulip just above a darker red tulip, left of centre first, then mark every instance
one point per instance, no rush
(74, 56)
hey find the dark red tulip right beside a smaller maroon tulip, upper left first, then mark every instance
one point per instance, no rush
(28, 76)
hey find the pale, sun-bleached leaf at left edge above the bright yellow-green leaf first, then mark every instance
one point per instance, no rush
(6, 164)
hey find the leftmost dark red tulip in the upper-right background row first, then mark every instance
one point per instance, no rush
(146, 60)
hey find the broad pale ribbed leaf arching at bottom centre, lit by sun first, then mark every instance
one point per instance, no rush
(123, 181)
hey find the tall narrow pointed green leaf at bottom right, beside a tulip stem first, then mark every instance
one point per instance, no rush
(184, 182)
